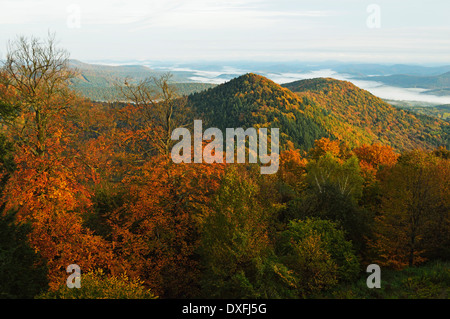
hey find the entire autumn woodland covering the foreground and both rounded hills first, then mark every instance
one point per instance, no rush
(93, 184)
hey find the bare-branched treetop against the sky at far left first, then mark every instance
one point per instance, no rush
(34, 82)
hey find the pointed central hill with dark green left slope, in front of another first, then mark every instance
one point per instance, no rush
(253, 100)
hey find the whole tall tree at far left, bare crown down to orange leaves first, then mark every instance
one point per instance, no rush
(48, 187)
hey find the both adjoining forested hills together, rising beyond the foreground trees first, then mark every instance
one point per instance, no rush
(319, 107)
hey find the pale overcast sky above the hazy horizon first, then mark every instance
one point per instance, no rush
(395, 31)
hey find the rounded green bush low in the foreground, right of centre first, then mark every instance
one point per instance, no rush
(318, 254)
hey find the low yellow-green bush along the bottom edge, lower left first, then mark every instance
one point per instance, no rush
(98, 285)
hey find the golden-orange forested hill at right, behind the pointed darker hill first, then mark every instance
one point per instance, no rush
(357, 115)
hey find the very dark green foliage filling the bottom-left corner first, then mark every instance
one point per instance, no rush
(22, 272)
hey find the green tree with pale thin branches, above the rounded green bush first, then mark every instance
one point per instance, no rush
(333, 193)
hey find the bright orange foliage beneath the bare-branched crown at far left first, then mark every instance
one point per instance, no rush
(50, 192)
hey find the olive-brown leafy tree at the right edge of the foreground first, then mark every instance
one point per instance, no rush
(414, 218)
